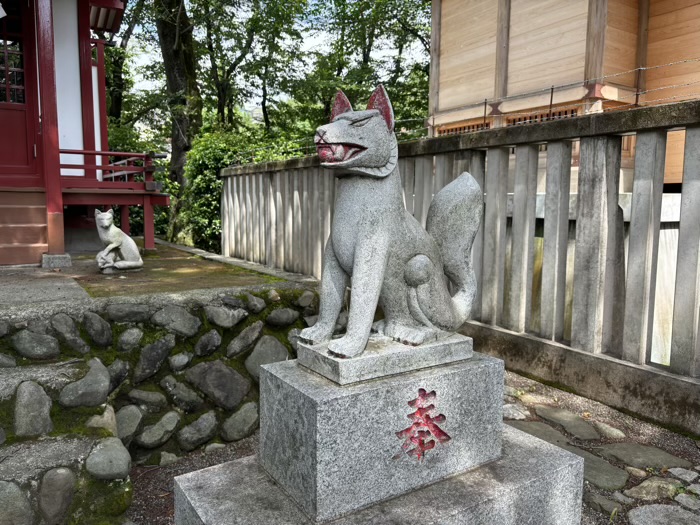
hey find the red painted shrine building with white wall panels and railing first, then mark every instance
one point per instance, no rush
(55, 160)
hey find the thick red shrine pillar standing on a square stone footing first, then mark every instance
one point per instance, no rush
(49, 129)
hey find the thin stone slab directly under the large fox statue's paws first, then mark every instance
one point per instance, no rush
(384, 357)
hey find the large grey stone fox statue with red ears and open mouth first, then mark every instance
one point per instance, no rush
(381, 248)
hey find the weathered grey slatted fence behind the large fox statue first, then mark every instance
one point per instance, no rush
(580, 270)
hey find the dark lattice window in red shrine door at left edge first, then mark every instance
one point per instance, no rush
(12, 81)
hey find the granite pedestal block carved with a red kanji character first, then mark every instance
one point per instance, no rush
(336, 449)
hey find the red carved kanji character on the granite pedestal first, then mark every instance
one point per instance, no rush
(424, 432)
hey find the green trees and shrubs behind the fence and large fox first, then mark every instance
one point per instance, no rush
(287, 58)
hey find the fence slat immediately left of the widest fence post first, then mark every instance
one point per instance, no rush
(556, 231)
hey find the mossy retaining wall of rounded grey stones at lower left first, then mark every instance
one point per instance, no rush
(88, 391)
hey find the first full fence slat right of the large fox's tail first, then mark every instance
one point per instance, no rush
(494, 255)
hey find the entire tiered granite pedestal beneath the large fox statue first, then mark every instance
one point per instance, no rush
(432, 439)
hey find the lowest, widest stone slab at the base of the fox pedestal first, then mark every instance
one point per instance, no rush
(532, 483)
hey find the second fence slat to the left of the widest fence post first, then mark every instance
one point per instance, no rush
(522, 251)
